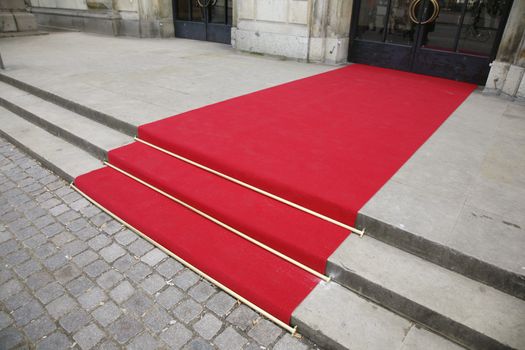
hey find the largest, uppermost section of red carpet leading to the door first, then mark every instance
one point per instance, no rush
(327, 142)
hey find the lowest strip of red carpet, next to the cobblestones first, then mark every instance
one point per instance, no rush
(266, 280)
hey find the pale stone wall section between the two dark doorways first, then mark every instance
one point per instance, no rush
(309, 30)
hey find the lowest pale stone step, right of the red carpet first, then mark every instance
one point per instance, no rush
(336, 318)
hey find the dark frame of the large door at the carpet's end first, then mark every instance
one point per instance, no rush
(418, 59)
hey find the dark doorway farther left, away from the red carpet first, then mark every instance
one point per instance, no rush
(203, 19)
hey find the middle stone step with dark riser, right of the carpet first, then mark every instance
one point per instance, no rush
(468, 312)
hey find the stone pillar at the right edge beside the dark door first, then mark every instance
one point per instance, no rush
(507, 71)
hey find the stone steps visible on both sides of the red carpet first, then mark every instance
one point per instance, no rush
(383, 297)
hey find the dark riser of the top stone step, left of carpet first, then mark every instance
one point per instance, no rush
(75, 107)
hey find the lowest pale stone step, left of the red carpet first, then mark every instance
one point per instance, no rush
(53, 152)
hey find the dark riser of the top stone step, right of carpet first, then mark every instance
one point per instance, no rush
(449, 258)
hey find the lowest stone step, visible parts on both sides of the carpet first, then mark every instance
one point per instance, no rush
(331, 315)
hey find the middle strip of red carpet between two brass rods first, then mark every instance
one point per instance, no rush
(288, 230)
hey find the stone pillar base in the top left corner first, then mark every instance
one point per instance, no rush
(15, 18)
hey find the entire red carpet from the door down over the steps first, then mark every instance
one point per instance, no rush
(327, 142)
